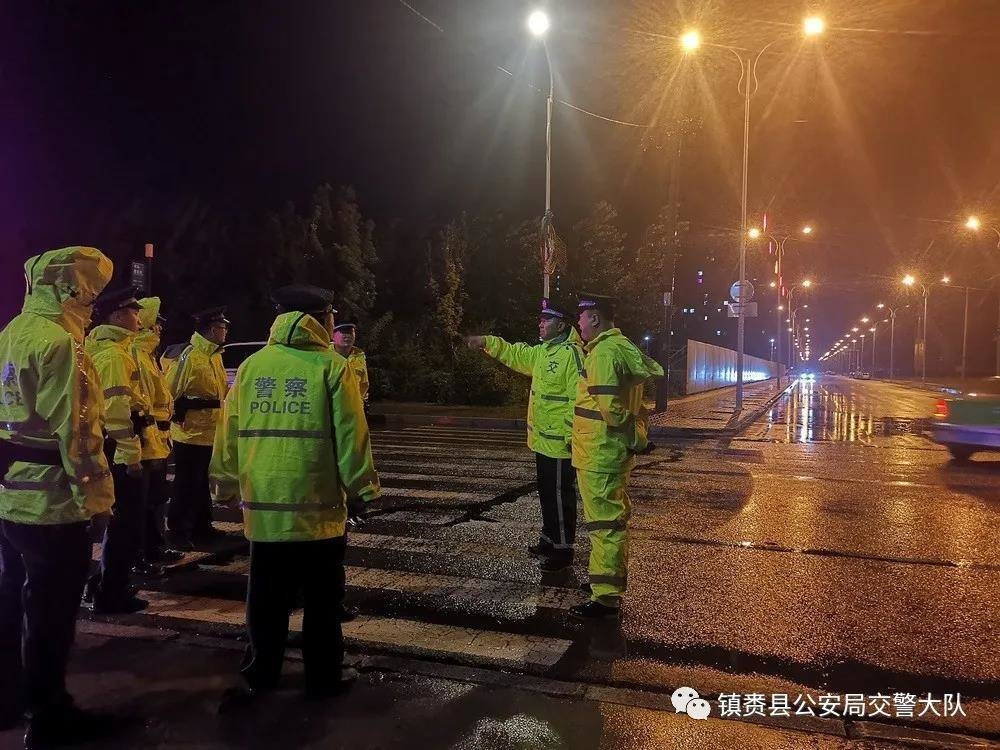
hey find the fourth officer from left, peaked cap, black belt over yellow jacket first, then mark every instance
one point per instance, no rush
(197, 381)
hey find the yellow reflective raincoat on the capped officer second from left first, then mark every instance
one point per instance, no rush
(125, 403)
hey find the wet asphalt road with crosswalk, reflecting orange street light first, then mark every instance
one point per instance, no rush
(830, 548)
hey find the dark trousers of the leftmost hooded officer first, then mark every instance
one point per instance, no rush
(42, 573)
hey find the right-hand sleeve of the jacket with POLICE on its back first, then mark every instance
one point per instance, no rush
(352, 442)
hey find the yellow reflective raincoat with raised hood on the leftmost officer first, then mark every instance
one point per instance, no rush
(50, 397)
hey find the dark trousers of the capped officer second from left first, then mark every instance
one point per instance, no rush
(123, 536)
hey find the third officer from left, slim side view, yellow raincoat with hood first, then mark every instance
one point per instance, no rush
(155, 435)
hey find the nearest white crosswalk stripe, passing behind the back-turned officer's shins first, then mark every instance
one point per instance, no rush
(410, 636)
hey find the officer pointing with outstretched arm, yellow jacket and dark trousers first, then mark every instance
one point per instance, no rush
(555, 365)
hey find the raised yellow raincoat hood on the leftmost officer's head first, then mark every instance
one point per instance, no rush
(63, 284)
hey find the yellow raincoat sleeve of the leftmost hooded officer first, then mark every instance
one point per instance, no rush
(71, 404)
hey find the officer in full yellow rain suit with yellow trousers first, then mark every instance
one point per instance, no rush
(609, 429)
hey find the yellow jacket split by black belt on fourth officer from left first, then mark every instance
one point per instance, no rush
(197, 373)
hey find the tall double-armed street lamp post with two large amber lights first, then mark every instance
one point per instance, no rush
(748, 86)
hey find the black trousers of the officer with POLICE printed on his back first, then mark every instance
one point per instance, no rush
(279, 571)
